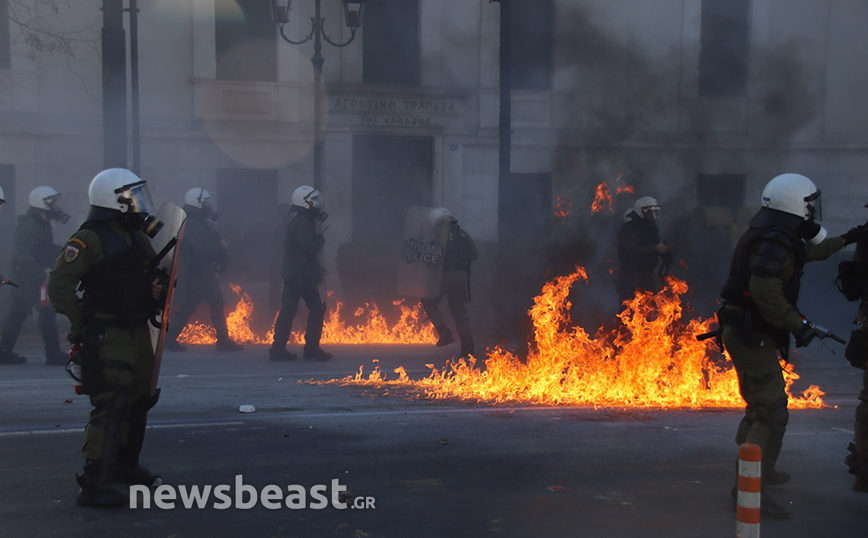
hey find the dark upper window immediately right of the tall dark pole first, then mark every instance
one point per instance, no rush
(530, 34)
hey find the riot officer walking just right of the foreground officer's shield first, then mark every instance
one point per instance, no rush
(204, 258)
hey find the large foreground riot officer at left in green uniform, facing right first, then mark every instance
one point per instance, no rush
(111, 258)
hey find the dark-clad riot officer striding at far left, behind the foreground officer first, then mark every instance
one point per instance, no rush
(34, 251)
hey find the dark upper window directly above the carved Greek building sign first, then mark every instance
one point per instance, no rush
(390, 52)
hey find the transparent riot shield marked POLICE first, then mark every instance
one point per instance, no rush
(421, 267)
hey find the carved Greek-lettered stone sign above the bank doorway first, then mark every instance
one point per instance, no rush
(393, 111)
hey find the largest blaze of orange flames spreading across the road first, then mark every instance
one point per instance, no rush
(653, 360)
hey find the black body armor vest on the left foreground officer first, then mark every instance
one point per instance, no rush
(118, 288)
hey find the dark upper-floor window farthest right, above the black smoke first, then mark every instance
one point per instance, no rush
(723, 48)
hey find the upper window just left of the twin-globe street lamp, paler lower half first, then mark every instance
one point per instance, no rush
(245, 39)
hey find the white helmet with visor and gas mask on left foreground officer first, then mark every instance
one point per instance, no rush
(120, 190)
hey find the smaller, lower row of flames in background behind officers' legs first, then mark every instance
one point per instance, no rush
(412, 326)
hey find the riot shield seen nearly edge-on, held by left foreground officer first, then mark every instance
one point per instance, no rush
(168, 244)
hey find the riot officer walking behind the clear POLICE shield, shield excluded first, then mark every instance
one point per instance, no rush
(454, 285)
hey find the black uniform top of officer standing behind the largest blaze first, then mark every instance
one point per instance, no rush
(637, 253)
